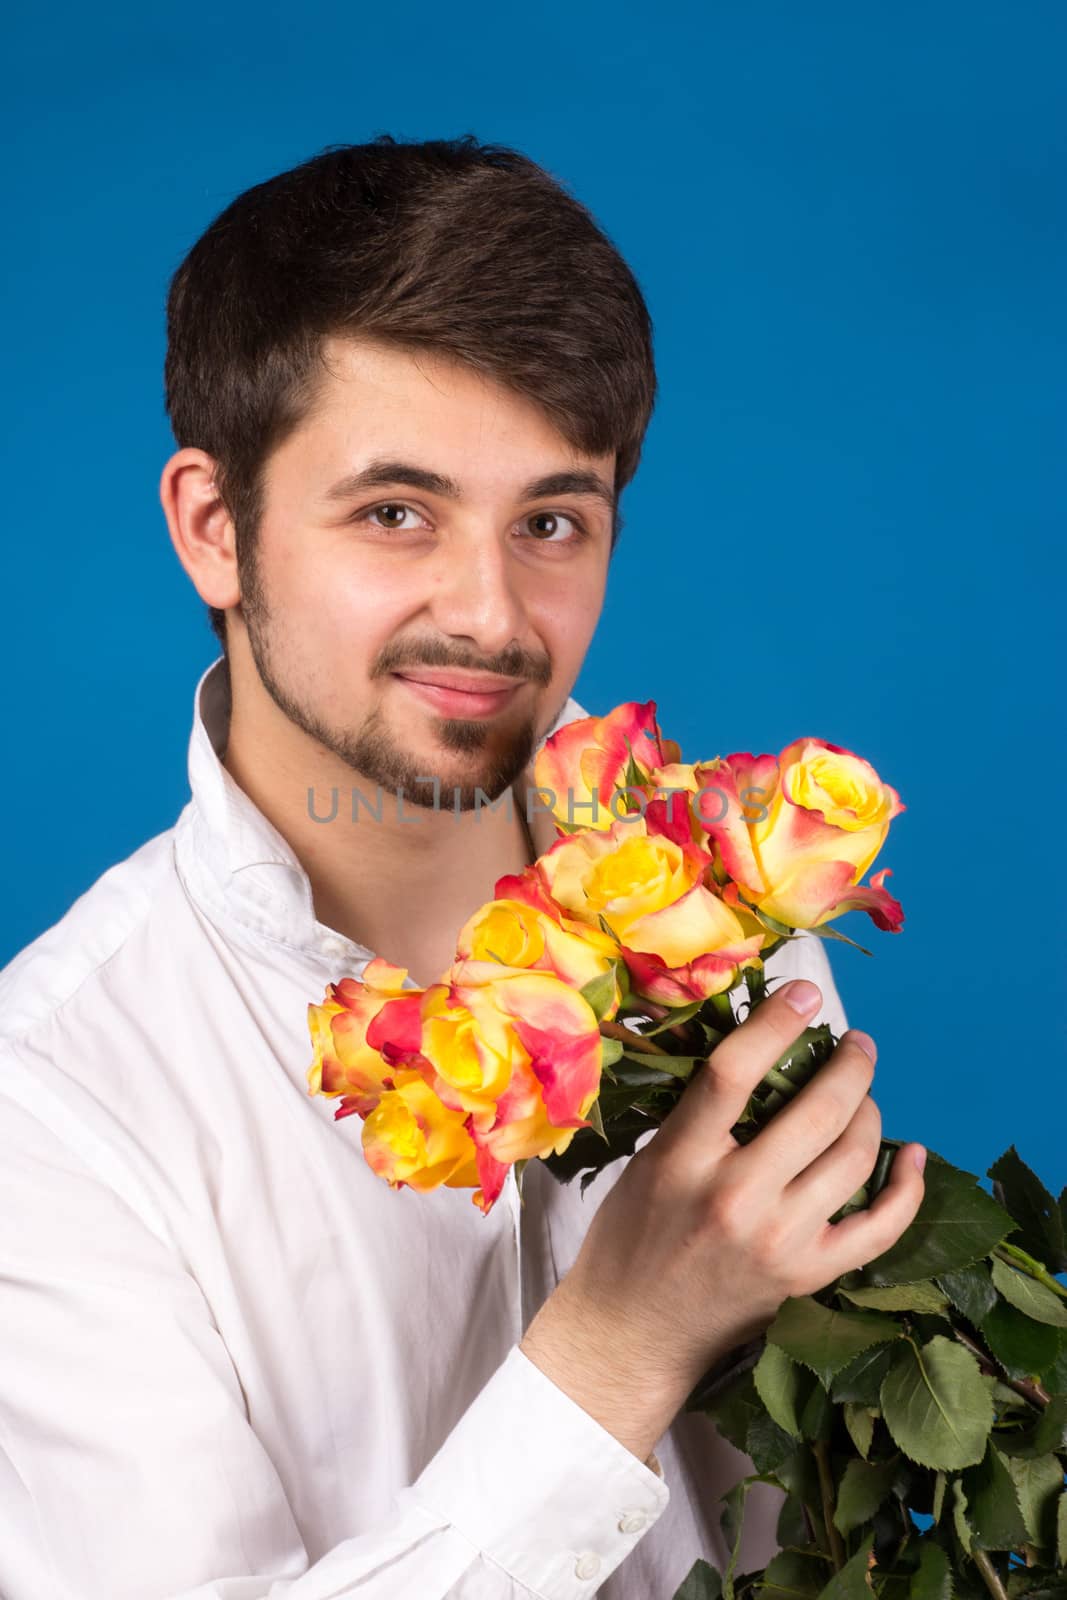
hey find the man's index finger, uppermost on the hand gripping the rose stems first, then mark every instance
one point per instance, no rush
(719, 1090)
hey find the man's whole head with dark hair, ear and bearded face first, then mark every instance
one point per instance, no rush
(441, 306)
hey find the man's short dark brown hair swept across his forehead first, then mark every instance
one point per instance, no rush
(452, 246)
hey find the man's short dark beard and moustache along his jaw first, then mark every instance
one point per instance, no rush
(377, 753)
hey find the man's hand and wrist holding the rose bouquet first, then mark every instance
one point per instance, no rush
(701, 1239)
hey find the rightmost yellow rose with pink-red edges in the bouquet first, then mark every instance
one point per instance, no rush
(797, 833)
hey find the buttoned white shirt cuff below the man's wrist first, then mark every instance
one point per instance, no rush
(540, 1487)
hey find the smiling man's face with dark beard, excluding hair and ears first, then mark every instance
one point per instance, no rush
(354, 593)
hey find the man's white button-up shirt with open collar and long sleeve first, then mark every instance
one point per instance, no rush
(236, 1364)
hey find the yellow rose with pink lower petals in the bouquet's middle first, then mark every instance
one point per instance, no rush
(679, 938)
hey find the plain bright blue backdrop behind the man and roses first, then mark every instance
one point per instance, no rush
(852, 233)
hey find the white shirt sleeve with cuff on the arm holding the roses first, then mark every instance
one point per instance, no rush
(130, 1471)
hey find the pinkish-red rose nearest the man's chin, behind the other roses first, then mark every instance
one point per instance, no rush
(586, 761)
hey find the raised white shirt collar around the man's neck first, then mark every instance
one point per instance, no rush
(241, 866)
